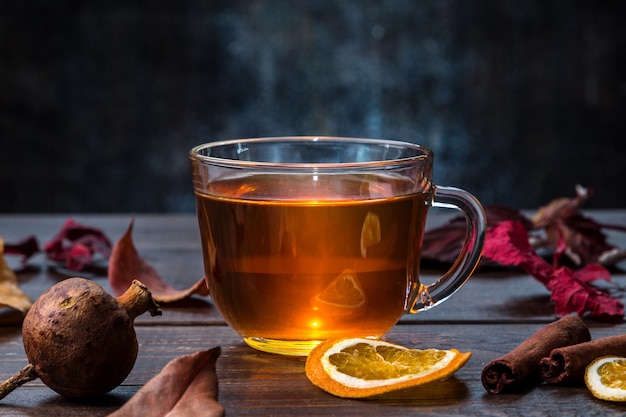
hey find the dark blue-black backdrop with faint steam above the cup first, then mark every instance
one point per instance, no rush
(101, 100)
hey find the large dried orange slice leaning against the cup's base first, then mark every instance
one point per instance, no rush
(362, 367)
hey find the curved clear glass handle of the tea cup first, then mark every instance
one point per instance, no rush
(428, 296)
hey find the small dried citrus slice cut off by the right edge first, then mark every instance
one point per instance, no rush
(606, 378)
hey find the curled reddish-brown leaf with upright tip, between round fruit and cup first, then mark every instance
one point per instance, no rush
(125, 265)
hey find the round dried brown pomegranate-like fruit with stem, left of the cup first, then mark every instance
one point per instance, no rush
(80, 340)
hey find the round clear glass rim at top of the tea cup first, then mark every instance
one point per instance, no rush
(422, 153)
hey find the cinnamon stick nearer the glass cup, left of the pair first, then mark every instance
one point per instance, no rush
(520, 365)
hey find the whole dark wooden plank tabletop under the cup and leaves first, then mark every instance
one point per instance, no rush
(494, 312)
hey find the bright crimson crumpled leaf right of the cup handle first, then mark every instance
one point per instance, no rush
(507, 244)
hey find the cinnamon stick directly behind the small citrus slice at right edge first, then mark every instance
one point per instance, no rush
(567, 364)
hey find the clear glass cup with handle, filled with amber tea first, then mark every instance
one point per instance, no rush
(307, 238)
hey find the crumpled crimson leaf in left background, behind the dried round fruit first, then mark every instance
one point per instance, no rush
(75, 245)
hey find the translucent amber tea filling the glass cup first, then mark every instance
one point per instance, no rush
(290, 270)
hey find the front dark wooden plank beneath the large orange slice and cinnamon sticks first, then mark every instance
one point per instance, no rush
(254, 383)
